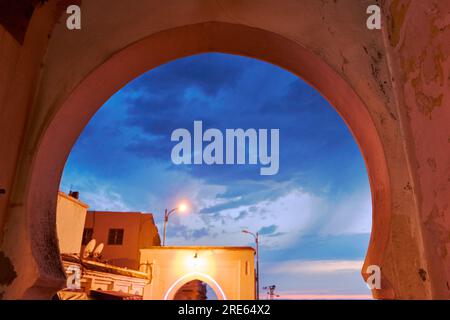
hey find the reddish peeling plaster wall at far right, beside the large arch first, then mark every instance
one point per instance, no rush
(418, 42)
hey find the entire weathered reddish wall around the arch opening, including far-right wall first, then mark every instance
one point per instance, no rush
(390, 86)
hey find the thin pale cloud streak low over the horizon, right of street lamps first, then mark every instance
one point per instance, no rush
(316, 266)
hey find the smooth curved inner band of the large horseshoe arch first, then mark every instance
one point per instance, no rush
(65, 125)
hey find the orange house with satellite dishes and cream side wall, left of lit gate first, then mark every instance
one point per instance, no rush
(91, 276)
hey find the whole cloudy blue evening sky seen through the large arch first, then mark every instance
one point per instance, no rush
(314, 216)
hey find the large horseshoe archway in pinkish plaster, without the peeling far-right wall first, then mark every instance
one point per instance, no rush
(361, 91)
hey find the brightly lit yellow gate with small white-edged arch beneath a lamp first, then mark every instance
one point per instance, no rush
(181, 272)
